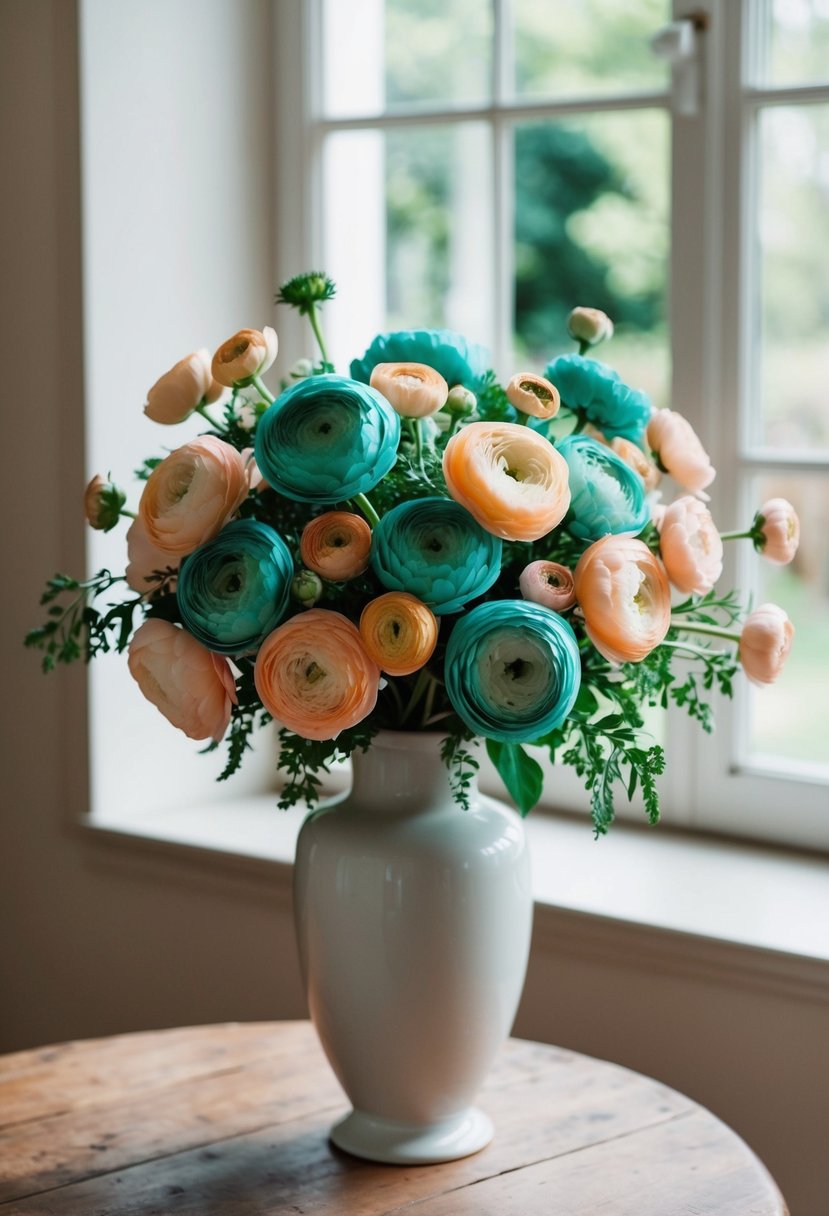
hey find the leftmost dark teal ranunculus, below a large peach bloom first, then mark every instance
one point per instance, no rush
(234, 590)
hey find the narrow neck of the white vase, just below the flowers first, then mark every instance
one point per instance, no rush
(402, 774)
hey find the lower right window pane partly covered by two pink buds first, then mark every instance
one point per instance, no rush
(789, 722)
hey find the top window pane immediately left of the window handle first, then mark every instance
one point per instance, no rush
(588, 47)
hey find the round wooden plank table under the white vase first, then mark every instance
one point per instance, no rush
(233, 1122)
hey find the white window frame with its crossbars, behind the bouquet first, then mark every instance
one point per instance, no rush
(712, 284)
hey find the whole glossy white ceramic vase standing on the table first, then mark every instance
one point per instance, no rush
(414, 922)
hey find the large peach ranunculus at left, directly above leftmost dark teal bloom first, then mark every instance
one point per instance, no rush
(193, 494)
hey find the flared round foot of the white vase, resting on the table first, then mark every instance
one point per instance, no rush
(396, 1144)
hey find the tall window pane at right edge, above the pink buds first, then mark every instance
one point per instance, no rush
(794, 271)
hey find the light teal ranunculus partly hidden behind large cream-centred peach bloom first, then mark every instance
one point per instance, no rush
(606, 494)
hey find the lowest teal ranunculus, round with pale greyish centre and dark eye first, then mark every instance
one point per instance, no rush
(512, 671)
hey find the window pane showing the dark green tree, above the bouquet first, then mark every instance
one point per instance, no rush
(593, 218)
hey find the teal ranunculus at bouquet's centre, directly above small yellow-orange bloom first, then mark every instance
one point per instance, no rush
(433, 549)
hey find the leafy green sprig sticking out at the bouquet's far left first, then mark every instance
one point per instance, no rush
(75, 629)
